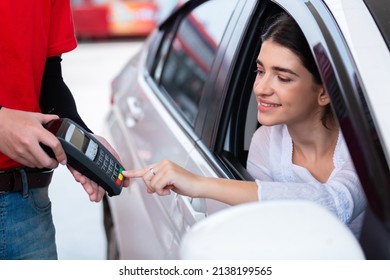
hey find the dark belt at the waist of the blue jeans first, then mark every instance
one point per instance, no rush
(11, 181)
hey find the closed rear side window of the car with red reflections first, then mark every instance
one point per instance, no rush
(185, 69)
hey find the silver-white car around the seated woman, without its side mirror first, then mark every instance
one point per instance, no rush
(187, 97)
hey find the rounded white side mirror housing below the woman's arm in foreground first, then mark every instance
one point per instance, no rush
(273, 230)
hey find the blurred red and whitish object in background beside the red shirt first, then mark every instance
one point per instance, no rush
(113, 18)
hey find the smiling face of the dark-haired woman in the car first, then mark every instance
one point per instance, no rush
(285, 90)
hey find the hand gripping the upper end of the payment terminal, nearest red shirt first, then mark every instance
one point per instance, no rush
(21, 134)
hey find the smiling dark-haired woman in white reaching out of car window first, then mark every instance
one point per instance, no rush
(297, 153)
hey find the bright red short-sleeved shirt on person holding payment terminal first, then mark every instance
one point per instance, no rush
(30, 31)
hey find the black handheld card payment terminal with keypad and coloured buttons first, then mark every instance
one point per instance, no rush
(87, 155)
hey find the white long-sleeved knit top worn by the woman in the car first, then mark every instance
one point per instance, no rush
(270, 163)
